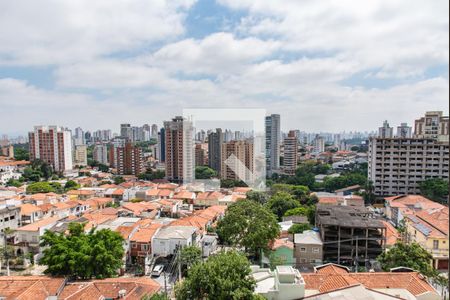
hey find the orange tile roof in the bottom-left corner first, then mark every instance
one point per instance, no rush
(29, 287)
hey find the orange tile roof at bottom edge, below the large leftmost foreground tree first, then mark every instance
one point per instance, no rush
(135, 289)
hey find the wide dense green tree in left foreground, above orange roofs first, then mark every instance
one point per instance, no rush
(82, 255)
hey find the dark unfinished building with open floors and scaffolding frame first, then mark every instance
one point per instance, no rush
(350, 234)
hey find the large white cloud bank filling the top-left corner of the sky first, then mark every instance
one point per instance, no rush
(57, 31)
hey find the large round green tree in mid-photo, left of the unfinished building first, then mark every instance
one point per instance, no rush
(249, 225)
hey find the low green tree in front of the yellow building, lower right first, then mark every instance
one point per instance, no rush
(412, 256)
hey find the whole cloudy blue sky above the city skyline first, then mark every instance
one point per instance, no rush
(322, 65)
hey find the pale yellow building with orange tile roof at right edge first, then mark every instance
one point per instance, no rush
(429, 228)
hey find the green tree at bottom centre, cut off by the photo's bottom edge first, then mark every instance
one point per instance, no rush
(226, 275)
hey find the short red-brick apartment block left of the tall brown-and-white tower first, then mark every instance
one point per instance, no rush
(130, 160)
